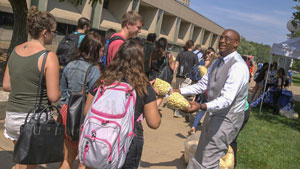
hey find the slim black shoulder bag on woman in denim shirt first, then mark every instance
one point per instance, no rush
(75, 110)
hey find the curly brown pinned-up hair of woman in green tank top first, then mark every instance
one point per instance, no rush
(38, 21)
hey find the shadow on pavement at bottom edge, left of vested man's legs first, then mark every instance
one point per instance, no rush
(178, 163)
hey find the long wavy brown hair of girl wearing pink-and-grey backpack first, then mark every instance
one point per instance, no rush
(128, 64)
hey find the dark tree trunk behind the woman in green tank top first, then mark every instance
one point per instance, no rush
(19, 36)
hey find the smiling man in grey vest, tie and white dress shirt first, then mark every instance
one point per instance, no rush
(226, 89)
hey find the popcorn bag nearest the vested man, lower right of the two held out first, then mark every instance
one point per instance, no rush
(177, 101)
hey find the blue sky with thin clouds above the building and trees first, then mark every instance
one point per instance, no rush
(261, 21)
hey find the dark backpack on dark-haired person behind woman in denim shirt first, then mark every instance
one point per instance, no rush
(67, 47)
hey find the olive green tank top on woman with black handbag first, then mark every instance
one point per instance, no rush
(24, 81)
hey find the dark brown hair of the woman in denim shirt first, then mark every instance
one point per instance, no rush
(90, 47)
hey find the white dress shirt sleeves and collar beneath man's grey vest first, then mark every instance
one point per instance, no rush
(237, 77)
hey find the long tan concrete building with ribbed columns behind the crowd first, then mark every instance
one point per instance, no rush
(167, 18)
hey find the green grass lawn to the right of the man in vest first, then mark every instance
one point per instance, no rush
(269, 141)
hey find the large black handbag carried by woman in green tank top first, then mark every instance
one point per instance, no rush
(41, 140)
